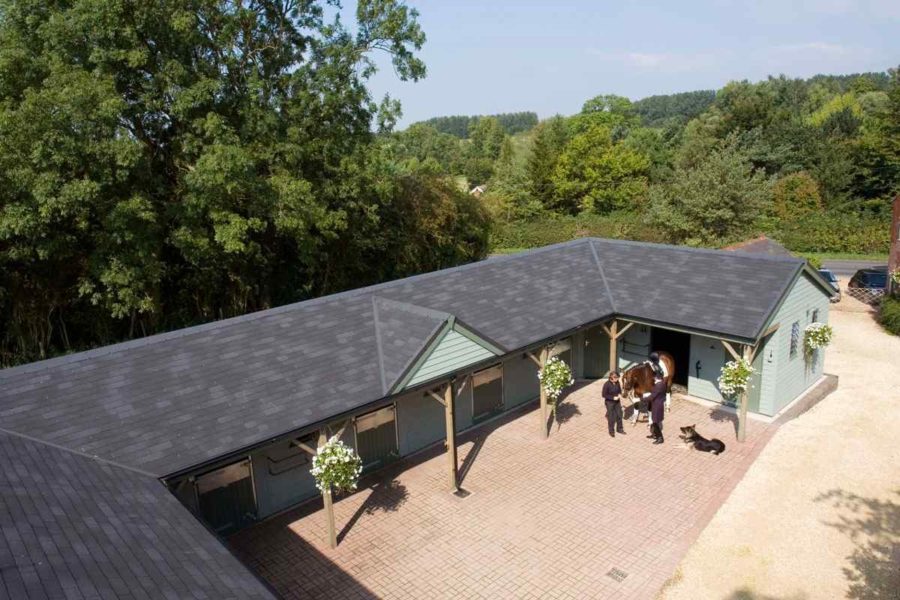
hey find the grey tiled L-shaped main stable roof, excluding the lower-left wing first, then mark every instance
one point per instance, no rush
(169, 402)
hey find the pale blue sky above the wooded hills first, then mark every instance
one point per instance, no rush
(496, 56)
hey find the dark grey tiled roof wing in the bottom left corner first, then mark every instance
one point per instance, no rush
(73, 527)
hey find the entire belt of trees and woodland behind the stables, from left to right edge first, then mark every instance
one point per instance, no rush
(164, 164)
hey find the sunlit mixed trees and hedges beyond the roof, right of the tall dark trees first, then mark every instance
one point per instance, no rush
(812, 163)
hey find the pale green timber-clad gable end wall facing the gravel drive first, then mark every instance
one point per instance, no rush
(792, 376)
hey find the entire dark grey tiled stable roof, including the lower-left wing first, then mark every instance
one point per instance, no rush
(164, 404)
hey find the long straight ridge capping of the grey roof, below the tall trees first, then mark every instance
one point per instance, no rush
(220, 323)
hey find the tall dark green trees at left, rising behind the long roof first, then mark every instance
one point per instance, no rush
(168, 163)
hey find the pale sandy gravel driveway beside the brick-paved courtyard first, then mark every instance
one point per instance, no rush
(818, 514)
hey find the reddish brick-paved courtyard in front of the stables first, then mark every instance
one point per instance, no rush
(544, 518)
